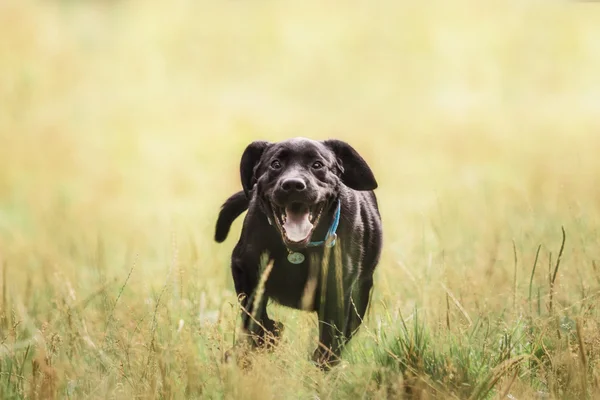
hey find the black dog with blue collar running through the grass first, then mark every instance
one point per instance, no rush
(312, 210)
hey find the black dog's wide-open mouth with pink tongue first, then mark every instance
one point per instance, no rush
(297, 221)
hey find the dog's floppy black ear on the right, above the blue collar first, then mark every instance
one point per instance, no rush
(355, 172)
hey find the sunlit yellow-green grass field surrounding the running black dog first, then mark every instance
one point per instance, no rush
(121, 128)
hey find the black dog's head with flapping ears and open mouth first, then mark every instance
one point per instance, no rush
(298, 179)
